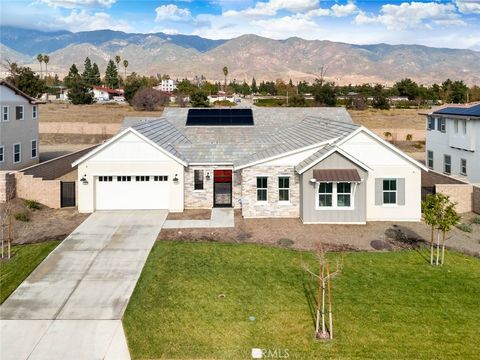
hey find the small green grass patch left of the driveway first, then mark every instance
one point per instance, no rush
(25, 258)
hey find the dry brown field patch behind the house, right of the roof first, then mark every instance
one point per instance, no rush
(393, 118)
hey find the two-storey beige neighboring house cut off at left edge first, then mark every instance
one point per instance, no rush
(19, 145)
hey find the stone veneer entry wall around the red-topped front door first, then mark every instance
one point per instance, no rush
(203, 199)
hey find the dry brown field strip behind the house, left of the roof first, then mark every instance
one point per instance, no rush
(96, 113)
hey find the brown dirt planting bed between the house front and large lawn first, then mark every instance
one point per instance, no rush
(291, 232)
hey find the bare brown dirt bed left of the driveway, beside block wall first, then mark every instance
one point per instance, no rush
(45, 224)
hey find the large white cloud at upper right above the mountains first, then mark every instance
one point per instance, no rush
(411, 15)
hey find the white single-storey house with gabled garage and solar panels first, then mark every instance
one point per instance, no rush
(311, 163)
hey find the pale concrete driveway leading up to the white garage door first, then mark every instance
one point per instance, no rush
(70, 307)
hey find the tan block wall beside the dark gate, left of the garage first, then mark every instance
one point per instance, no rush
(46, 192)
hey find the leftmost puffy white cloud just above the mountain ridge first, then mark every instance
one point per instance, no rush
(81, 20)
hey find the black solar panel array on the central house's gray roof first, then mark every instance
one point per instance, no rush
(220, 117)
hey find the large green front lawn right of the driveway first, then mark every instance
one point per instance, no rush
(387, 305)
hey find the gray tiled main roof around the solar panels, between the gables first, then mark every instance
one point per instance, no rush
(276, 131)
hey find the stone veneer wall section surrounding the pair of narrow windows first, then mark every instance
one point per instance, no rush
(272, 208)
